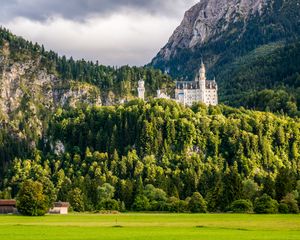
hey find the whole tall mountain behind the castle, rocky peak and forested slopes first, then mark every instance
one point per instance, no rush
(234, 38)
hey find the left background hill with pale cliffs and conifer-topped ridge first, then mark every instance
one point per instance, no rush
(34, 83)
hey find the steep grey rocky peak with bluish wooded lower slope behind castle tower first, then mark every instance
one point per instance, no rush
(220, 30)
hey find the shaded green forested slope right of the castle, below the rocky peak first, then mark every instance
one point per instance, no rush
(265, 79)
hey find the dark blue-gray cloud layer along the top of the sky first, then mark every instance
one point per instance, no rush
(41, 10)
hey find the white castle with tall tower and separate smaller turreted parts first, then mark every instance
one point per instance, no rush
(189, 92)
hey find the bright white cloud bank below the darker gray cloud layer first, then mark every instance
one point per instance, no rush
(117, 40)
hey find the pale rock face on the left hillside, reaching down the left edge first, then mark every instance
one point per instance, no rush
(27, 90)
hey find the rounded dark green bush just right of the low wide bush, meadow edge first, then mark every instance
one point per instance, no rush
(265, 204)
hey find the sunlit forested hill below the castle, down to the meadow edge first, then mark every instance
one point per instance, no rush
(161, 156)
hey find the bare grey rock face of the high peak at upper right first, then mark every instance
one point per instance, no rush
(207, 19)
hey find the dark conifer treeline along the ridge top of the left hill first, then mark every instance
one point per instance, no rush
(122, 81)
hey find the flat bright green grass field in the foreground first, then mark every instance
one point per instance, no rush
(151, 226)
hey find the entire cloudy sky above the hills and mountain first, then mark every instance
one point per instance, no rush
(115, 32)
